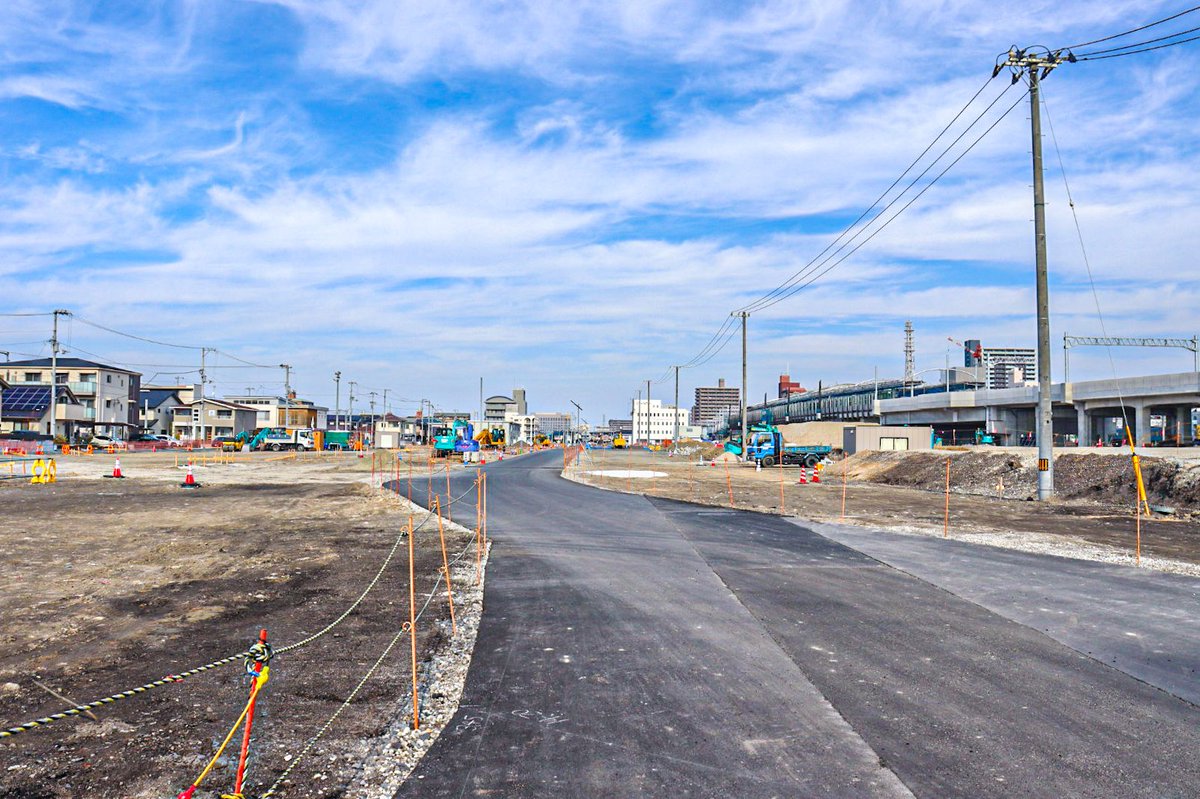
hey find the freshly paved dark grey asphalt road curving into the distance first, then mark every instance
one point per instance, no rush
(635, 647)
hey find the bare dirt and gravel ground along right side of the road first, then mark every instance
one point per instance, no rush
(905, 492)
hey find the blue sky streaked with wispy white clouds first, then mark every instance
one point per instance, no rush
(573, 197)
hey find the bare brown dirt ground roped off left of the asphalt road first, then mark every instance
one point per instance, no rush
(113, 584)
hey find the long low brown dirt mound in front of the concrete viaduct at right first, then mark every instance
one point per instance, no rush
(1087, 477)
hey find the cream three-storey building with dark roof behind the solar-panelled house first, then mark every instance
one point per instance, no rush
(109, 395)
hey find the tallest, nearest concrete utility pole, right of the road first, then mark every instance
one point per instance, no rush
(1036, 67)
